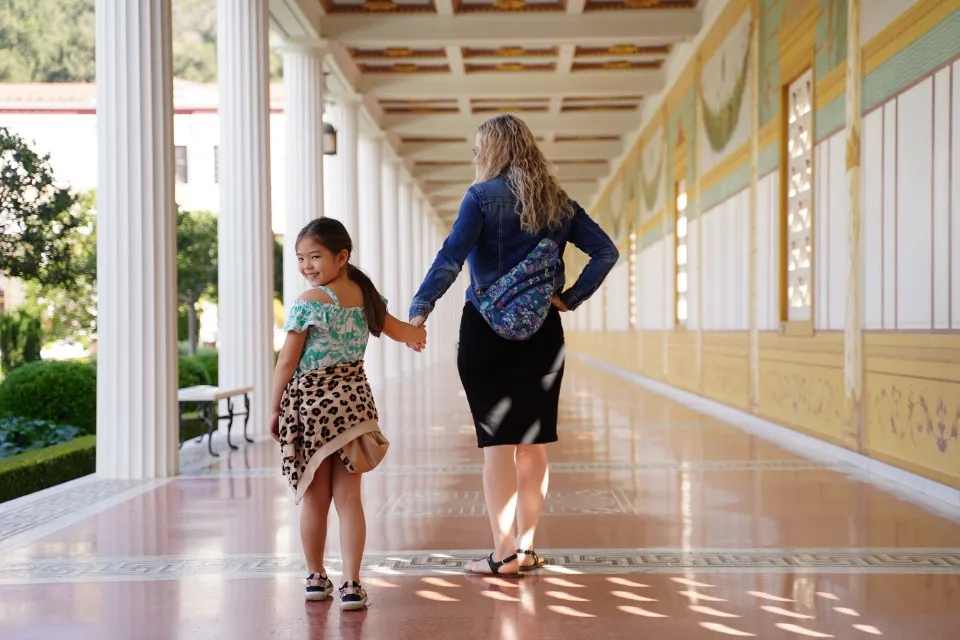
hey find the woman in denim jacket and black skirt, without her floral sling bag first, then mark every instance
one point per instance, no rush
(513, 386)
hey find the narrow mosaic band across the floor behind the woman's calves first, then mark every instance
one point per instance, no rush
(558, 467)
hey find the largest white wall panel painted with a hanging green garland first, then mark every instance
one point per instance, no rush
(724, 86)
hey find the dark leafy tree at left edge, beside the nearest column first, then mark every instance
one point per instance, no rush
(37, 217)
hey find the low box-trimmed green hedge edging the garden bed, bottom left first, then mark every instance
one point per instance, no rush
(40, 469)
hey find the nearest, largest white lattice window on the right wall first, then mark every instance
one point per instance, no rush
(798, 231)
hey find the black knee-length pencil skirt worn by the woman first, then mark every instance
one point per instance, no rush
(513, 387)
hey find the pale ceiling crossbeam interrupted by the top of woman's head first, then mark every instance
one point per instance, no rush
(458, 124)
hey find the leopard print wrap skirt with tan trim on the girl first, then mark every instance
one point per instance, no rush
(326, 412)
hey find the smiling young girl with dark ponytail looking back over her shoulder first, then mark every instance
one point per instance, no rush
(324, 416)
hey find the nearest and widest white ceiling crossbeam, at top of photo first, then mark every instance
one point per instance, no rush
(497, 30)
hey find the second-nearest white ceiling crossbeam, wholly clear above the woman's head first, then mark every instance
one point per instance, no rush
(512, 84)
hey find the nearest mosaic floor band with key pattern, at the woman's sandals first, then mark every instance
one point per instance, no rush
(565, 562)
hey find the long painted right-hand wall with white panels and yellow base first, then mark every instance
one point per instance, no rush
(909, 414)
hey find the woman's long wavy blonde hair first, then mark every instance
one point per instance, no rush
(505, 144)
